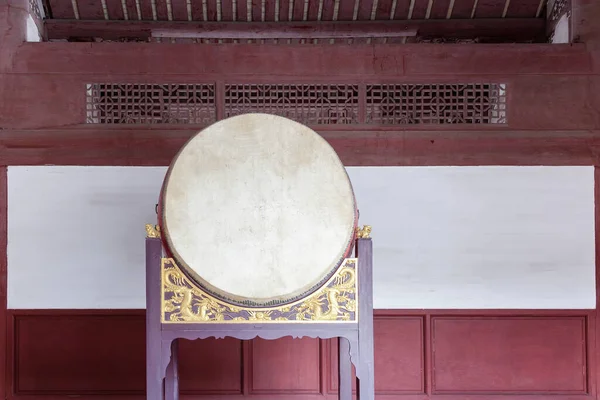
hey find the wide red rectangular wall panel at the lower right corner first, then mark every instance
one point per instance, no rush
(510, 355)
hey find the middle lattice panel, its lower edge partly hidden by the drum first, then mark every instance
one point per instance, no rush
(304, 103)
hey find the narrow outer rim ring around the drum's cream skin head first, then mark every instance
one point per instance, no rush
(241, 301)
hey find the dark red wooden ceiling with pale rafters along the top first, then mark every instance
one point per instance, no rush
(303, 21)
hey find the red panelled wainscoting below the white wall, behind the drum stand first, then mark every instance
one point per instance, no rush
(511, 354)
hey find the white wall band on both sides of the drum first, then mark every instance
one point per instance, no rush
(444, 237)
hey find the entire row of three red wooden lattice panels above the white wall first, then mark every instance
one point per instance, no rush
(310, 104)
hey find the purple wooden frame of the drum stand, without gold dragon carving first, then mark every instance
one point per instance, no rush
(355, 338)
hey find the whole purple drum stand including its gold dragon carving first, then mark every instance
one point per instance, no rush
(176, 308)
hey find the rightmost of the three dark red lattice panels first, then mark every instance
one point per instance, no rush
(402, 104)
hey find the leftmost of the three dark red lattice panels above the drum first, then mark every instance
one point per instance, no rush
(139, 103)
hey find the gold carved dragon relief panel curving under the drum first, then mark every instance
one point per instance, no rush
(184, 302)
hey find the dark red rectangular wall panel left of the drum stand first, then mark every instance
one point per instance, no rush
(74, 354)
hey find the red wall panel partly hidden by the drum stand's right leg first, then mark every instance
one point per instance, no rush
(399, 356)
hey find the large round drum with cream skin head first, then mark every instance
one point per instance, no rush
(258, 210)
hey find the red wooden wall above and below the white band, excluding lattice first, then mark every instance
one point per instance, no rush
(465, 354)
